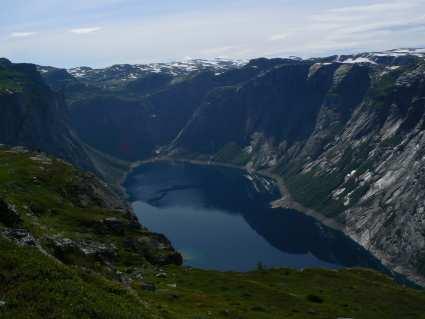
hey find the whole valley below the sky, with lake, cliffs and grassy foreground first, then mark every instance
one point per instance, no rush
(204, 148)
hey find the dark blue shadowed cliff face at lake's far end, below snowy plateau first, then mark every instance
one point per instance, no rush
(132, 125)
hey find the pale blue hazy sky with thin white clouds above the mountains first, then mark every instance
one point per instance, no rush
(104, 32)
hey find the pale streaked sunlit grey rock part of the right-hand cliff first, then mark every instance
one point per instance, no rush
(369, 172)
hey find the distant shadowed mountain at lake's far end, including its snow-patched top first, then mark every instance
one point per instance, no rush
(154, 106)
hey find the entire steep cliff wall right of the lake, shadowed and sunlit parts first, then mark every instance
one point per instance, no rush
(348, 138)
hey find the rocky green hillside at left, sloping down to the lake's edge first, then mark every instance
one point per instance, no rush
(53, 199)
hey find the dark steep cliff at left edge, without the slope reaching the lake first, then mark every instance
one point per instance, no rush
(36, 117)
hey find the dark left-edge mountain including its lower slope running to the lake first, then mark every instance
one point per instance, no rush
(35, 116)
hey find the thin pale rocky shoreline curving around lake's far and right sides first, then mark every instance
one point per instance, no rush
(286, 202)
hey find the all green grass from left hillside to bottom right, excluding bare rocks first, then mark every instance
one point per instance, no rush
(34, 285)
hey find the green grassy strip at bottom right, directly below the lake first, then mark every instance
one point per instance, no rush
(282, 293)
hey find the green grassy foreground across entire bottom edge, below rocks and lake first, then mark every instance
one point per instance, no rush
(53, 290)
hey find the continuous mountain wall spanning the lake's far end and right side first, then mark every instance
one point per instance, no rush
(344, 132)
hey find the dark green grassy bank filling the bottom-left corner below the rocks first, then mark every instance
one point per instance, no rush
(36, 286)
